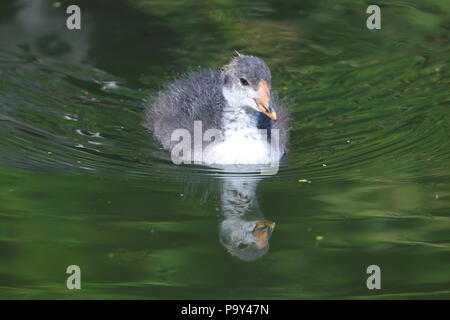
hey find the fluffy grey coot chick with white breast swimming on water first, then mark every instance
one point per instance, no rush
(236, 100)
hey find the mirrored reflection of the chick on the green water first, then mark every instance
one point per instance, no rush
(243, 231)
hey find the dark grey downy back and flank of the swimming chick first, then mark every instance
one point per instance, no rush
(196, 96)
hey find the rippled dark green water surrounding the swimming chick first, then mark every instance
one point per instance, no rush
(83, 183)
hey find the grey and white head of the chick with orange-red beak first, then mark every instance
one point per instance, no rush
(246, 83)
